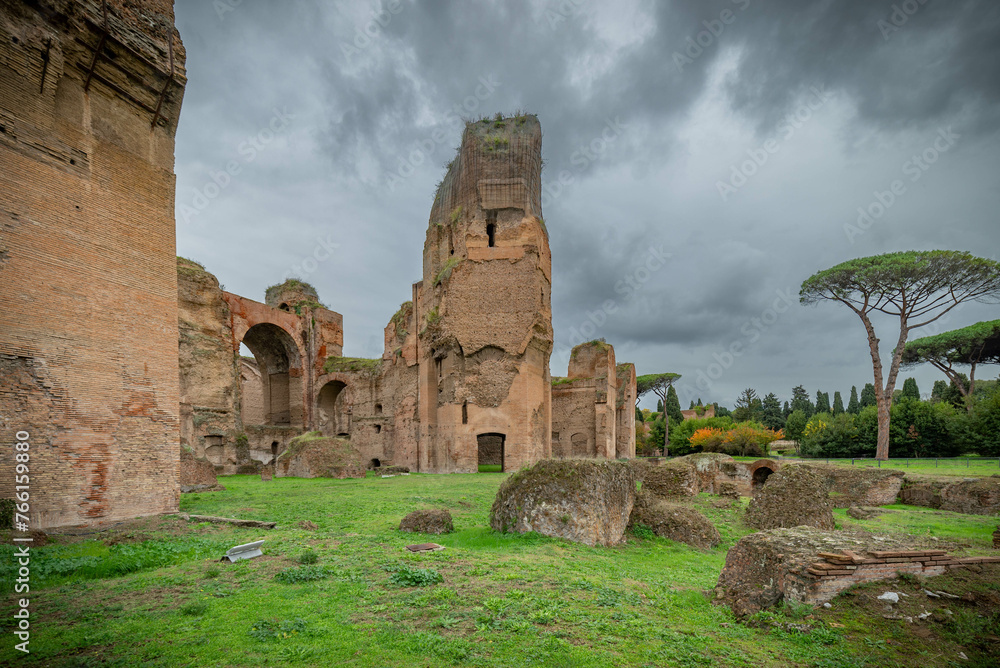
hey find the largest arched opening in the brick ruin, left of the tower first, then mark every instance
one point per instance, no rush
(274, 353)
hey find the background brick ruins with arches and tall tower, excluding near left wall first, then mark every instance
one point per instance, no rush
(464, 377)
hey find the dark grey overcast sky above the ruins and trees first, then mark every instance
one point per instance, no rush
(712, 155)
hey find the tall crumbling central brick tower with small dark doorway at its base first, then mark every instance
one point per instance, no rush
(483, 308)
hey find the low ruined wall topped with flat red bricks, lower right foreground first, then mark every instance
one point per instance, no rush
(812, 566)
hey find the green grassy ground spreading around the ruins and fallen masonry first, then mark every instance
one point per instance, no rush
(152, 593)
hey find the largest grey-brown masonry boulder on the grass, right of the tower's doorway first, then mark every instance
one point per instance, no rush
(586, 501)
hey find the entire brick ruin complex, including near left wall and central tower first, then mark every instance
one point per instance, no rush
(94, 300)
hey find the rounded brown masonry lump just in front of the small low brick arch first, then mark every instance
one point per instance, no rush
(794, 496)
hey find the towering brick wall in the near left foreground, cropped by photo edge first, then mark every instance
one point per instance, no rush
(90, 94)
